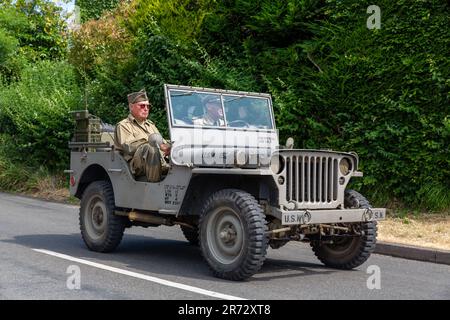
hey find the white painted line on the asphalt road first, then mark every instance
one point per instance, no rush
(141, 276)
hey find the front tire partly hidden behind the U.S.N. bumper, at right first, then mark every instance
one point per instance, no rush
(349, 253)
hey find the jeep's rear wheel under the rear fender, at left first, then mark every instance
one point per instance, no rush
(101, 229)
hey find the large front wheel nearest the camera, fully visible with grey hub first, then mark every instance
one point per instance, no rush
(232, 234)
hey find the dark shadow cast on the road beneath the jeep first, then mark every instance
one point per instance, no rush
(160, 257)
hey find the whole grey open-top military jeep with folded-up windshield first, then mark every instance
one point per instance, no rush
(231, 188)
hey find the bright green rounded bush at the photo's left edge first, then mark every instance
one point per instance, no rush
(36, 113)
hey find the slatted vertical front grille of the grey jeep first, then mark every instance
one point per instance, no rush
(312, 179)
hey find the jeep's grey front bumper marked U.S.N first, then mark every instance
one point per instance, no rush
(302, 217)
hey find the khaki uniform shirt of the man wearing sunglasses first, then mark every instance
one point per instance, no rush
(130, 134)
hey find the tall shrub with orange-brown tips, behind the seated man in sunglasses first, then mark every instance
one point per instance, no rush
(102, 55)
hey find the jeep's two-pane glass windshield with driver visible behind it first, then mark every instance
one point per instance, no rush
(223, 110)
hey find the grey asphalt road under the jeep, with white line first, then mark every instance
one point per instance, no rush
(40, 242)
